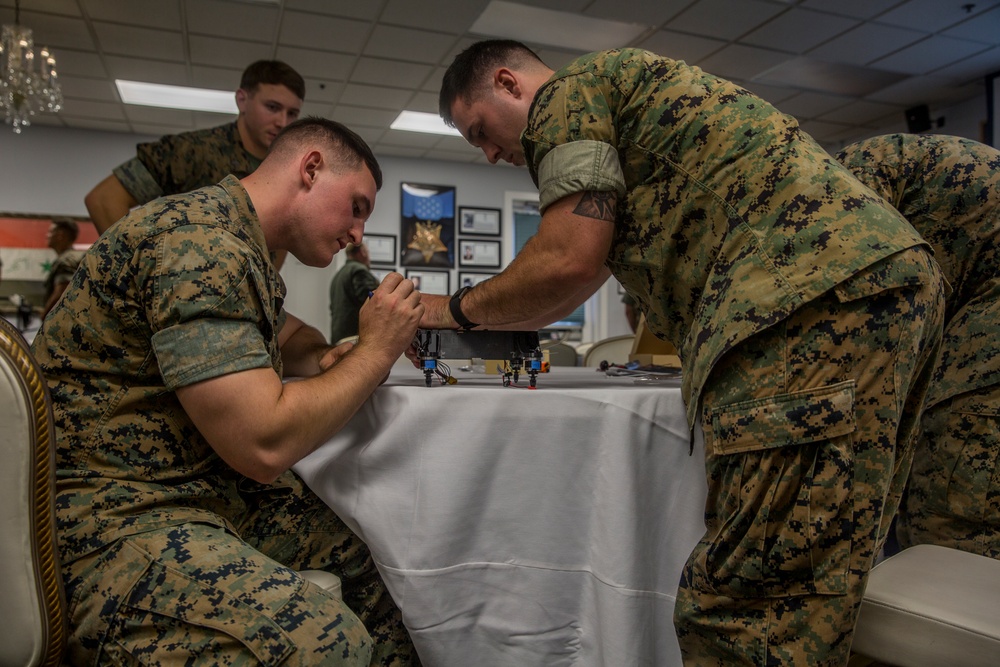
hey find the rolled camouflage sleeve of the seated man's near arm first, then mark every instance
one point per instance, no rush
(208, 314)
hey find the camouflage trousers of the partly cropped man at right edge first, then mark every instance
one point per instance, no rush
(953, 495)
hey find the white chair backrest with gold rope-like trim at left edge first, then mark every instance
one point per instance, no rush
(31, 611)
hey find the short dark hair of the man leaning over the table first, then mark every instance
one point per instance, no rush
(469, 74)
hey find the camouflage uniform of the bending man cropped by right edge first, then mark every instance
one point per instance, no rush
(949, 190)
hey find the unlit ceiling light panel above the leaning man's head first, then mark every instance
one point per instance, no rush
(549, 27)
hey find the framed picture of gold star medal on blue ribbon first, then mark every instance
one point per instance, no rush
(427, 225)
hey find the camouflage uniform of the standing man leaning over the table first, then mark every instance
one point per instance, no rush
(806, 313)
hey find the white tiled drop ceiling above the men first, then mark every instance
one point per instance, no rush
(846, 68)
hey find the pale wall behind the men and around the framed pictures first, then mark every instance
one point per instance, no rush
(49, 170)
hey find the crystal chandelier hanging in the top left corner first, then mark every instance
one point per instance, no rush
(24, 88)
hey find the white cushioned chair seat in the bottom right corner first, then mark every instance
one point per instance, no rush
(930, 606)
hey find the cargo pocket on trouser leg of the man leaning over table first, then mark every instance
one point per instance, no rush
(783, 468)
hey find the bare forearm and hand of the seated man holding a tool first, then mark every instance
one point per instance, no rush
(261, 426)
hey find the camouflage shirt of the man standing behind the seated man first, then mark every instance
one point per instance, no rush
(183, 162)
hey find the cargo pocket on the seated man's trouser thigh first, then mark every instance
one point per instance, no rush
(170, 606)
